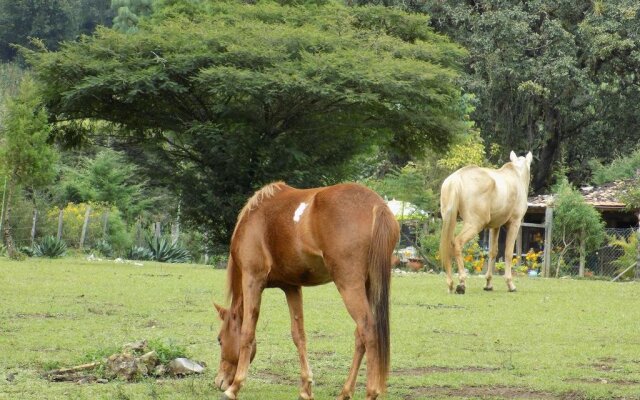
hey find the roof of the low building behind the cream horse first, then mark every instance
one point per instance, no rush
(604, 197)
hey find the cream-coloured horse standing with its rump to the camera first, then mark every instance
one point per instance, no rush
(484, 198)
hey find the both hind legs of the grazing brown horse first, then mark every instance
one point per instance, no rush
(355, 299)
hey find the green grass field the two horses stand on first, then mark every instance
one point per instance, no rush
(553, 339)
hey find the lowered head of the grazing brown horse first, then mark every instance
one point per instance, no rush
(229, 341)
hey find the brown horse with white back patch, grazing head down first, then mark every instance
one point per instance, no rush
(289, 238)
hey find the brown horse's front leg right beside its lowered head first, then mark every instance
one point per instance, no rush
(252, 293)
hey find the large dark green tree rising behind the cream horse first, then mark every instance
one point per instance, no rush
(557, 77)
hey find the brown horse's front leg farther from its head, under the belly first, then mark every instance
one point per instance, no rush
(294, 300)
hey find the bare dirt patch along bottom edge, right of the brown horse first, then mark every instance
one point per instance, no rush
(504, 392)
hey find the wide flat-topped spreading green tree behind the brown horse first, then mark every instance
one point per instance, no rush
(223, 97)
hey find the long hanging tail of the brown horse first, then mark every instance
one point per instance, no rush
(384, 239)
